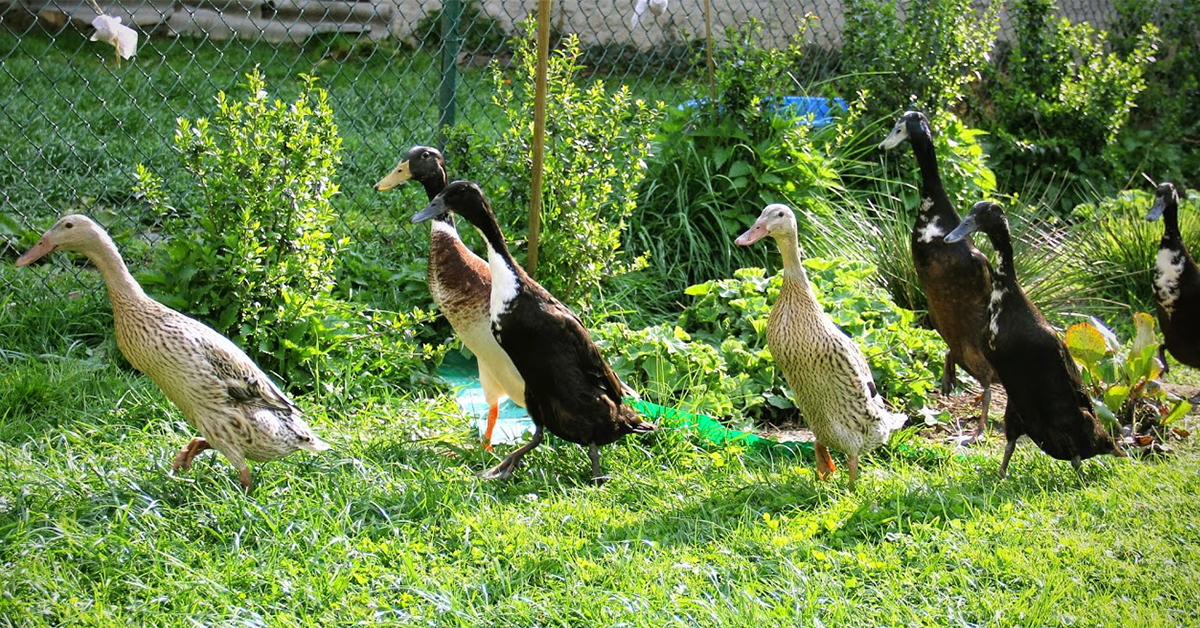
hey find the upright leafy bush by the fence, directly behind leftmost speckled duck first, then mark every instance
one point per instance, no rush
(256, 258)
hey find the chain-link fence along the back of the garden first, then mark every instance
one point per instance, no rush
(77, 119)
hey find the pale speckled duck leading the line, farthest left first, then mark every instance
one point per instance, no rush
(238, 410)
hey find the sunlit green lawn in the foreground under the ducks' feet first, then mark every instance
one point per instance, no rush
(393, 527)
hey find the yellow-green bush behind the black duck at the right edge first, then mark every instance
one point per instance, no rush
(1114, 248)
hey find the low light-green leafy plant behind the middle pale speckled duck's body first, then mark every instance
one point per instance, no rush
(716, 357)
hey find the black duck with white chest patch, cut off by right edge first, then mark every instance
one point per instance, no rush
(1177, 284)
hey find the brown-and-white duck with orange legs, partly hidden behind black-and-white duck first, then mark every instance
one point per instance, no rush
(461, 285)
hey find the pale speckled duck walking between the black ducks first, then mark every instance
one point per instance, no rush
(825, 369)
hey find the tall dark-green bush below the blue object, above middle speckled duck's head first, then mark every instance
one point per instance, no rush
(718, 162)
